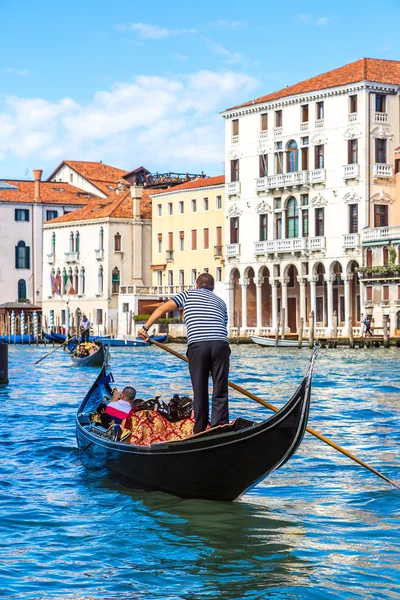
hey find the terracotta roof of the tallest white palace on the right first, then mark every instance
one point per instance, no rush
(365, 69)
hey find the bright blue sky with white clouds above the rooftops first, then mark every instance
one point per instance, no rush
(134, 84)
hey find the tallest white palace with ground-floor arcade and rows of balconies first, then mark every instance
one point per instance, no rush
(308, 169)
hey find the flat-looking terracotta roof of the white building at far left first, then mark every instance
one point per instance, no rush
(50, 193)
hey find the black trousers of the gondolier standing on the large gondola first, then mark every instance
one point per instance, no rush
(205, 358)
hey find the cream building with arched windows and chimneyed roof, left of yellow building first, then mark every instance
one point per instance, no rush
(97, 247)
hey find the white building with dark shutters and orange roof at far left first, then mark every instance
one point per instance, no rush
(24, 207)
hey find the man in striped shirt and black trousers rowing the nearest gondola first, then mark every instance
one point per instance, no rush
(206, 318)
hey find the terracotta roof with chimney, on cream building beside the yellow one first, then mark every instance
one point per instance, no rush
(117, 206)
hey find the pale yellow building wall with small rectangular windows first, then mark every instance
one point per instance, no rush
(187, 259)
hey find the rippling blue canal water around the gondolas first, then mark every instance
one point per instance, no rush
(320, 527)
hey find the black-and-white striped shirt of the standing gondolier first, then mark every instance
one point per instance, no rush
(206, 316)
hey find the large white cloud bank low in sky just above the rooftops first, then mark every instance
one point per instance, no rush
(167, 123)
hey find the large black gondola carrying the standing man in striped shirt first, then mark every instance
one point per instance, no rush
(219, 464)
